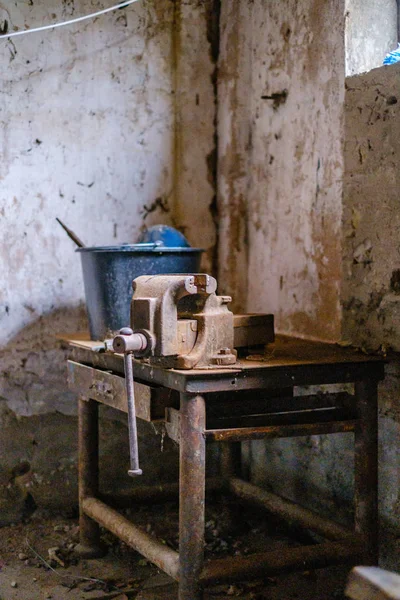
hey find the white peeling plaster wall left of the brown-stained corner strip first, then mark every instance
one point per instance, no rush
(87, 134)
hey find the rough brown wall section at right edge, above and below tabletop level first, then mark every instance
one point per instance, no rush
(371, 264)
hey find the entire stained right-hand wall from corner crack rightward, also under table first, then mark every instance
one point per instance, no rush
(295, 204)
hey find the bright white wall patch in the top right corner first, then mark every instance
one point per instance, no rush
(371, 32)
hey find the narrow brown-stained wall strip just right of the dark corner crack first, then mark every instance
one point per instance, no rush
(234, 85)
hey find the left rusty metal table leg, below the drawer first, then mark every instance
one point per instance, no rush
(88, 454)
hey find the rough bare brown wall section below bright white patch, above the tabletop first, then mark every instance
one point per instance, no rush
(371, 219)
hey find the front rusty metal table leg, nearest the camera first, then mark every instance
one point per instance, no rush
(191, 496)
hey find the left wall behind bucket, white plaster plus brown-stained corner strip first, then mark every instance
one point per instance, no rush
(97, 128)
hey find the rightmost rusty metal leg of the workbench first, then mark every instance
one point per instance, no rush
(366, 466)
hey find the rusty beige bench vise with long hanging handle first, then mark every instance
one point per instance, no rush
(179, 322)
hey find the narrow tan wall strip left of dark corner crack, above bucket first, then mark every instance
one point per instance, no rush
(195, 38)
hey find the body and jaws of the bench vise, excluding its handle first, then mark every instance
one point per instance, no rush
(168, 308)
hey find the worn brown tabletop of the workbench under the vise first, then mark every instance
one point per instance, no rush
(289, 361)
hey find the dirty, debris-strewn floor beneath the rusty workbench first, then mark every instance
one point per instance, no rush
(37, 559)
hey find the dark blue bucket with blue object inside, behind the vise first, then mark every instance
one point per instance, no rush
(108, 272)
